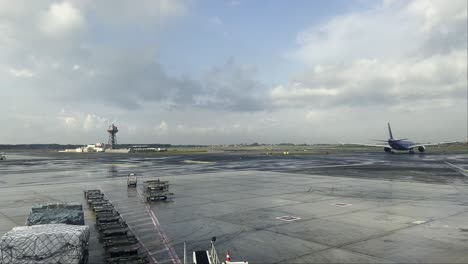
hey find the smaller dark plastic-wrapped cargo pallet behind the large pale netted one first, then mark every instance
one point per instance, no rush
(56, 213)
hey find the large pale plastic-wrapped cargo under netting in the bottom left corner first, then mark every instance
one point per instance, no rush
(40, 244)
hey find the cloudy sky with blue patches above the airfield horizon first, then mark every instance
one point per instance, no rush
(233, 71)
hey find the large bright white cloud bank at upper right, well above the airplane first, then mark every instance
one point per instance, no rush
(382, 56)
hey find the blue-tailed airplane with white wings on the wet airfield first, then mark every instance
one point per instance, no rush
(402, 144)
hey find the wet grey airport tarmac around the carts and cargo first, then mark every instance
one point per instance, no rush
(343, 208)
